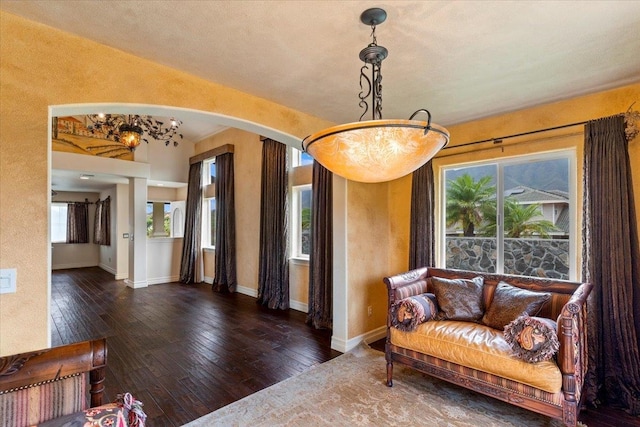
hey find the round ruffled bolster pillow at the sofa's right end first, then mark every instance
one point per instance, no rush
(532, 339)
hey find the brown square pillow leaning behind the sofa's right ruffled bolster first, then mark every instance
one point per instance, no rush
(509, 302)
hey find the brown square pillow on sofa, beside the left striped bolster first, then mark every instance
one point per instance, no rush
(459, 299)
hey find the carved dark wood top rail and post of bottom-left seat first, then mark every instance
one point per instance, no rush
(32, 368)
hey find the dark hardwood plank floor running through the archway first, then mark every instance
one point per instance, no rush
(185, 351)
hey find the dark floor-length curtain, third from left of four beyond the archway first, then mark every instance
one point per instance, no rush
(273, 275)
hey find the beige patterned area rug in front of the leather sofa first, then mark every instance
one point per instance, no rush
(350, 390)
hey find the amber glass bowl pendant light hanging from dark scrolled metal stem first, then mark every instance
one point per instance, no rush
(376, 150)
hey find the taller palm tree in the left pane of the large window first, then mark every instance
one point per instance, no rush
(467, 199)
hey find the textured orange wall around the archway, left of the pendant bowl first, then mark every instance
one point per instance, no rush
(39, 67)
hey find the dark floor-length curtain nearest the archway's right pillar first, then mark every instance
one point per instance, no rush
(320, 312)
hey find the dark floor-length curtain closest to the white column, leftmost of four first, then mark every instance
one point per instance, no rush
(191, 266)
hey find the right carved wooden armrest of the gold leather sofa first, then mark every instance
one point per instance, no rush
(572, 359)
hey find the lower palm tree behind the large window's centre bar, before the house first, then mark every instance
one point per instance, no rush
(518, 220)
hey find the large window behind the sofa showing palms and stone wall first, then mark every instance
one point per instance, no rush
(513, 216)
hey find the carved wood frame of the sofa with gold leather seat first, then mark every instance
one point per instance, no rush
(571, 317)
